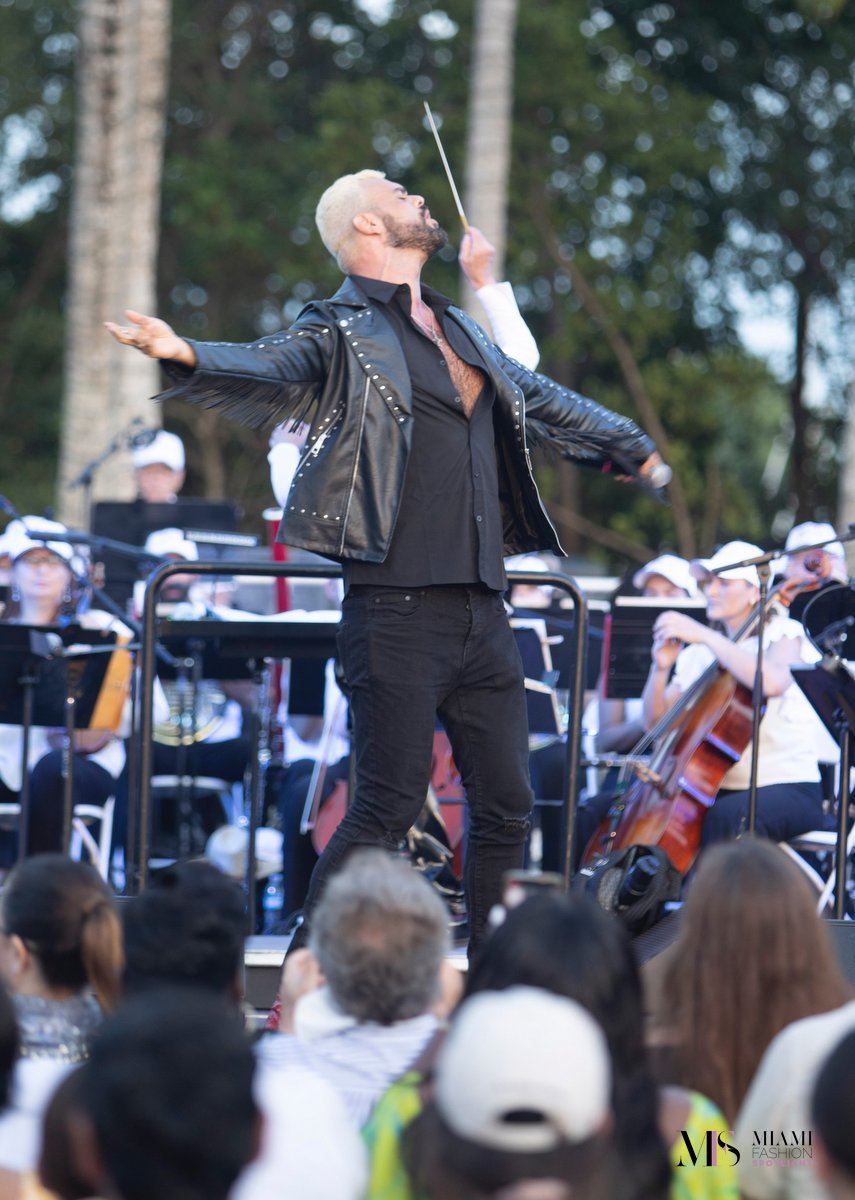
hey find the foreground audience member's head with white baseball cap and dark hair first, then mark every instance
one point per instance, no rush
(522, 1095)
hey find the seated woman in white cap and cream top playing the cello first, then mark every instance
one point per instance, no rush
(790, 799)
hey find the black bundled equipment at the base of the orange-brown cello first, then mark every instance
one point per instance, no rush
(635, 885)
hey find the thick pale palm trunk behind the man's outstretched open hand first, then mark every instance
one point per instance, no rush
(113, 241)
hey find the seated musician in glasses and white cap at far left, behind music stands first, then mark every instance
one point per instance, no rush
(44, 587)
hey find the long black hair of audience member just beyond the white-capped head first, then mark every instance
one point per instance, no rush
(570, 946)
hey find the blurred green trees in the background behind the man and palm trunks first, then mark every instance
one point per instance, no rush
(675, 166)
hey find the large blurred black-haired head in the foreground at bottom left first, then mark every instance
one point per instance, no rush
(168, 1096)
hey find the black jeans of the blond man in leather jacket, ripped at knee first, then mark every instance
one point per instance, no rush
(410, 656)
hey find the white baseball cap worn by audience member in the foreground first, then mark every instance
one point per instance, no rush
(524, 1071)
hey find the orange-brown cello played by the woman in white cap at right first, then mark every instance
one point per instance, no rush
(697, 743)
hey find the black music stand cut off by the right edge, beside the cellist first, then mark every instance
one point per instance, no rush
(830, 687)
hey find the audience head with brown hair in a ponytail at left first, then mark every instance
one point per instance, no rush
(61, 931)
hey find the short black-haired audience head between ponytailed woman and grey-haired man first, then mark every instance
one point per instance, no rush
(188, 927)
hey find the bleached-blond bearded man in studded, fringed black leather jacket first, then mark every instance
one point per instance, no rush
(417, 478)
